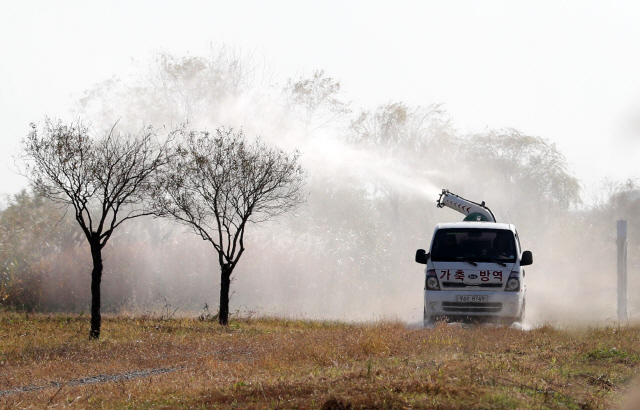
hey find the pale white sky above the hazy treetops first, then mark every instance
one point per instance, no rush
(568, 71)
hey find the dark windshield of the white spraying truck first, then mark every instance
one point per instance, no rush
(478, 245)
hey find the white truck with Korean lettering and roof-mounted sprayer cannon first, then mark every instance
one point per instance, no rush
(474, 267)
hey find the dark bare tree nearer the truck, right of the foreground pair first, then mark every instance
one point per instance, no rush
(219, 183)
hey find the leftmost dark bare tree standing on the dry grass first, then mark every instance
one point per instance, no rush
(105, 180)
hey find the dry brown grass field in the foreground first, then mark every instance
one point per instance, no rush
(142, 362)
